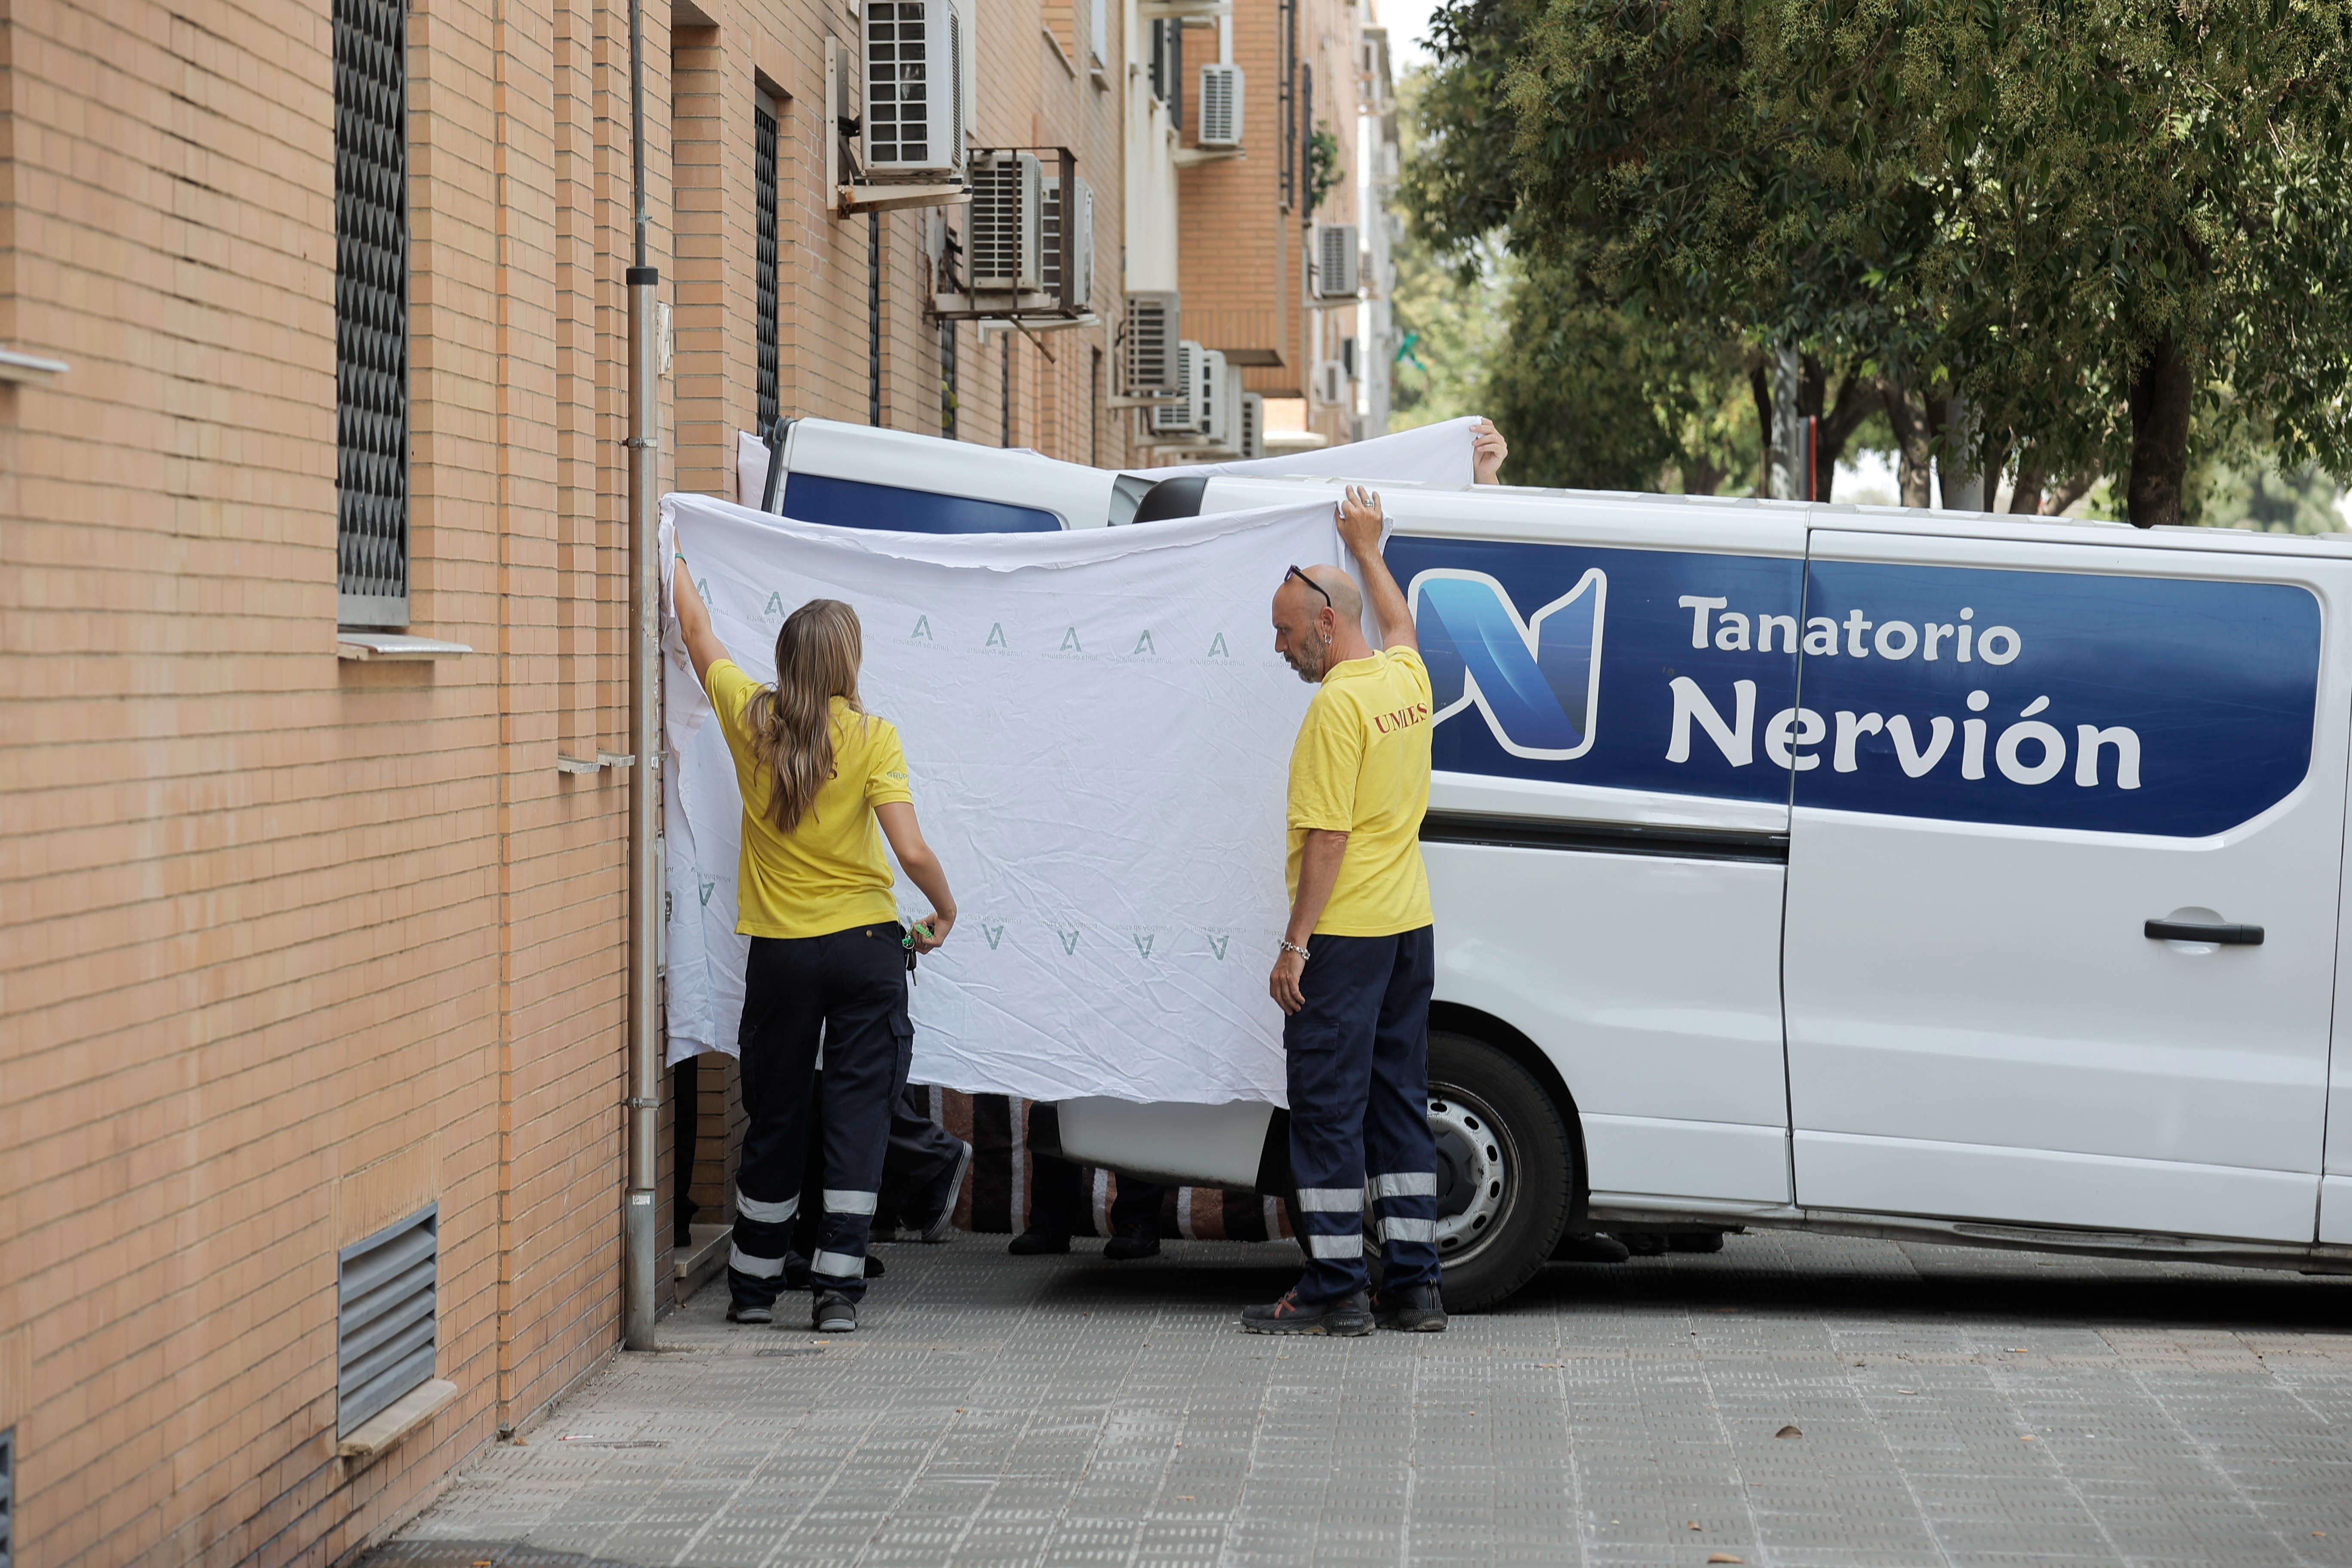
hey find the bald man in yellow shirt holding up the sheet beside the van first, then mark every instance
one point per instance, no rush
(1358, 963)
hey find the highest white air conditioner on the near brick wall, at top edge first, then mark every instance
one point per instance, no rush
(918, 88)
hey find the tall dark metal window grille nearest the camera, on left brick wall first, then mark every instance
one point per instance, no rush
(373, 311)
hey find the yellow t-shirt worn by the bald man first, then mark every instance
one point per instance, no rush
(1363, 768)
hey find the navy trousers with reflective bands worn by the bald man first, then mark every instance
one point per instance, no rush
(1358, 1066)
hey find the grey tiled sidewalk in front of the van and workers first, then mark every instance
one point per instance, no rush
(1956, 1407)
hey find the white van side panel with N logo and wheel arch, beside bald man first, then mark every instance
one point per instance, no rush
(1608, 826)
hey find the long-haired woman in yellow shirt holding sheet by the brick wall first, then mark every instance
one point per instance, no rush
(824, 784)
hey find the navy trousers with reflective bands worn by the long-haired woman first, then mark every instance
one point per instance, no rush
(848, 991)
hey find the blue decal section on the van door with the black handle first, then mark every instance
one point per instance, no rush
(2054, 699)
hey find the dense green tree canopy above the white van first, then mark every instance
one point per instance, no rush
(2097, 220)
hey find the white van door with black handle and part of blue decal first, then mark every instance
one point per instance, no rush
(2064, 883)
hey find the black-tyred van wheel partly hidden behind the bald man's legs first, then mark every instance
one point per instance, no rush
(1504, 1172)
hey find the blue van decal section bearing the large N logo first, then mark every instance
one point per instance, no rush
(1629, 669)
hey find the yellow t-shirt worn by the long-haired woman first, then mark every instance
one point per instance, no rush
(829, 873)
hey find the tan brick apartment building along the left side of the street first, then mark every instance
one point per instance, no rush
(316, 584)
